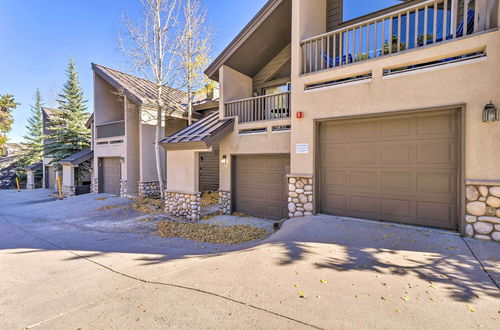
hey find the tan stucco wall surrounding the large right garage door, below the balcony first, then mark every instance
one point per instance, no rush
(473, 84)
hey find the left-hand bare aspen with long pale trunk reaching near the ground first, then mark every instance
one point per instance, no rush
(150, 44)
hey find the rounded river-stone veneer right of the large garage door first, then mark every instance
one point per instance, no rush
(483, 212)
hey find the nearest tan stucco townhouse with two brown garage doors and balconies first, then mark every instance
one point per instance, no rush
(378, 117)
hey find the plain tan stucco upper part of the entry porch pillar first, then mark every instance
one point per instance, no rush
(183, 171)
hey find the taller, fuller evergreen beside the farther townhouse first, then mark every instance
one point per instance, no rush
(68, 123)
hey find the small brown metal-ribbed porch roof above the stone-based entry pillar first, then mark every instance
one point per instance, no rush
(202, 135)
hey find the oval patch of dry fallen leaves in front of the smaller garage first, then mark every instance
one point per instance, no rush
(209, 233)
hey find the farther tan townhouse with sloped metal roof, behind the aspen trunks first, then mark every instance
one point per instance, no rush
(124, 128)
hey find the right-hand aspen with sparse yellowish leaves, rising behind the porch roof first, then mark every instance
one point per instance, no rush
(193, 47)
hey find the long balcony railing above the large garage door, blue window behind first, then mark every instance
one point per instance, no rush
(422, 24)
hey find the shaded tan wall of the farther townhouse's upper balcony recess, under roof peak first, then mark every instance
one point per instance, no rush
(108, 104)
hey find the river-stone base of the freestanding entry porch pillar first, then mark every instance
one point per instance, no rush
(183, 205)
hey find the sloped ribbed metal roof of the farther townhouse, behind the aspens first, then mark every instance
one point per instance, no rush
(141, 91)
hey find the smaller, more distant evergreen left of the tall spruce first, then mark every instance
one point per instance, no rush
(33, 140)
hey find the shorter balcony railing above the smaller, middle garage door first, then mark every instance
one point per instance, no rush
(268, 107)
